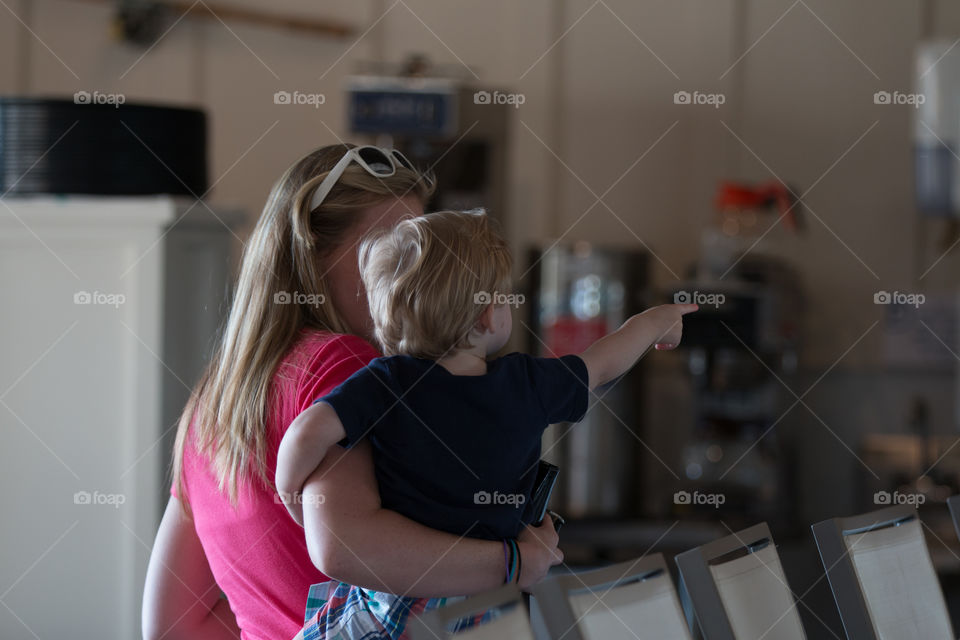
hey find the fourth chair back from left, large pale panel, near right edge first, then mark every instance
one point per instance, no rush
(881, 575)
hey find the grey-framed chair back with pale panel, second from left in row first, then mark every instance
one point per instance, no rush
(630, 600)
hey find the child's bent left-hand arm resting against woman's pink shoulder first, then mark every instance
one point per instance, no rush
(303, 447)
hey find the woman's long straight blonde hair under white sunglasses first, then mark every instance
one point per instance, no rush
(228, 409)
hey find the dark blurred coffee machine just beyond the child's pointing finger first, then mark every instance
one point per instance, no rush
(738, 348)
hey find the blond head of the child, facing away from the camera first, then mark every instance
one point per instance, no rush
(429, 278)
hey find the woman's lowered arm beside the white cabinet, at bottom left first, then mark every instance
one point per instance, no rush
(181, 600)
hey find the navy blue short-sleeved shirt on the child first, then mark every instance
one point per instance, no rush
(459, 453)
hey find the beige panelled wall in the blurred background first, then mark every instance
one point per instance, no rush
(599, 99)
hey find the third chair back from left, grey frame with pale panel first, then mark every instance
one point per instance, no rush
(737, 588)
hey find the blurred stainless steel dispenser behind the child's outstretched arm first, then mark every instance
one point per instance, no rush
(580, 293)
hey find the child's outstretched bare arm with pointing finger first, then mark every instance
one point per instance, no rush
(614, 354)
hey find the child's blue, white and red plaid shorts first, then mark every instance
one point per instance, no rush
(339, 611)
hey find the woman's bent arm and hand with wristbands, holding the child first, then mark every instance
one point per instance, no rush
(351, 538)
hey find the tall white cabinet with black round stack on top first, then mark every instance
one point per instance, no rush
(108, 306)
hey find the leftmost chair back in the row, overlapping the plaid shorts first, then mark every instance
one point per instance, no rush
(512, 621)
